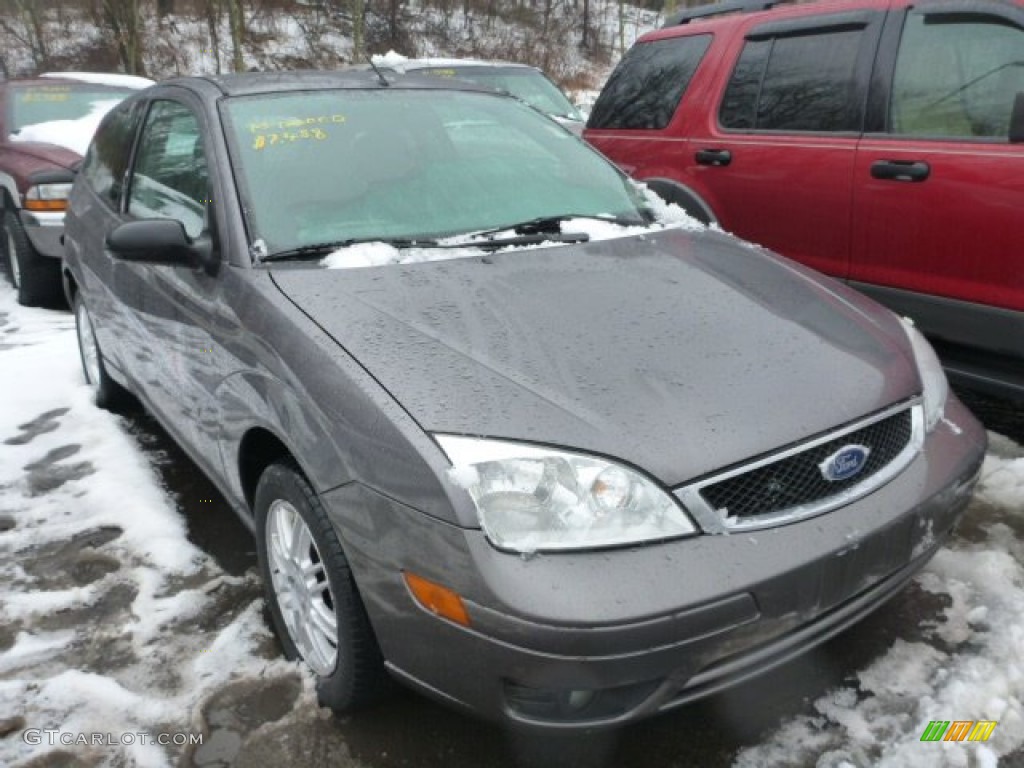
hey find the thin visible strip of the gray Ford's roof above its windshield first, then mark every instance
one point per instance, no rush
(273, 82)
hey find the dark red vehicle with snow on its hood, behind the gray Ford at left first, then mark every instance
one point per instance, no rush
(46, 125)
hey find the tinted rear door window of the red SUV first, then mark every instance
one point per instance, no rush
(800, 82)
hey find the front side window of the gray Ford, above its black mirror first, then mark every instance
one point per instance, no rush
(170, 179)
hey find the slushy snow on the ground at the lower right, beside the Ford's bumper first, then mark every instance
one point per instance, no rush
(970, 666)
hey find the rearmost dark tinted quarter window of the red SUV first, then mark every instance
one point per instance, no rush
(647, 88)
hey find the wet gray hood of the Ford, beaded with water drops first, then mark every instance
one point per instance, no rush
(680, 353)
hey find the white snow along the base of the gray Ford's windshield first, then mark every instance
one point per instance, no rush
(667, 216)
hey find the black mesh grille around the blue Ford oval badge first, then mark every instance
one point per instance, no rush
(797, 480)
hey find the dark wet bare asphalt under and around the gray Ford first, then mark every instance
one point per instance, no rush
(409, 731)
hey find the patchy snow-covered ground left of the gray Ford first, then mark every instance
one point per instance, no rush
(111, 621)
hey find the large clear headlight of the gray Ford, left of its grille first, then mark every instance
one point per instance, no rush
(531, 499)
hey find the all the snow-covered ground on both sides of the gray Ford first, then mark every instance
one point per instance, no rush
(113, 623)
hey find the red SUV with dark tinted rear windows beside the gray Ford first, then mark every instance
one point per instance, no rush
(880, 143)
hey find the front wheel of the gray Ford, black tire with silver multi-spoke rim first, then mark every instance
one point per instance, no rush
(313, 599)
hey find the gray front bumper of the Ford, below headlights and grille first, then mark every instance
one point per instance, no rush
(605, 638)
